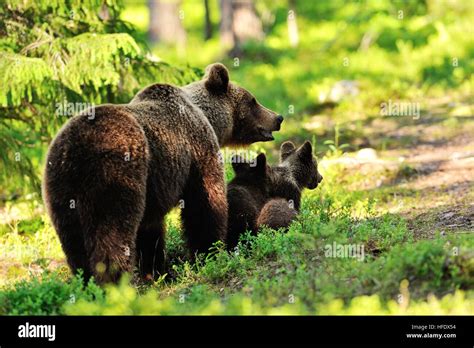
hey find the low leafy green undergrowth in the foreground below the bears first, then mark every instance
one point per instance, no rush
(285, 273)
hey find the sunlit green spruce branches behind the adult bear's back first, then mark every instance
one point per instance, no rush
(57, 52)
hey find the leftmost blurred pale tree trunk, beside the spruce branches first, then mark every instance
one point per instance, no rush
(165, 22)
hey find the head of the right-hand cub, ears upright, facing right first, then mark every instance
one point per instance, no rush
(300, 164)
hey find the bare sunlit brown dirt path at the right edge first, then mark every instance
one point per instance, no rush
(444, 177)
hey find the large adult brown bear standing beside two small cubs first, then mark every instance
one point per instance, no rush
(111, 178)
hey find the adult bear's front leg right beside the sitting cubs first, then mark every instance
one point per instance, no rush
(204, 213)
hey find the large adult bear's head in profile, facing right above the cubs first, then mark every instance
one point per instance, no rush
(236, 116)
